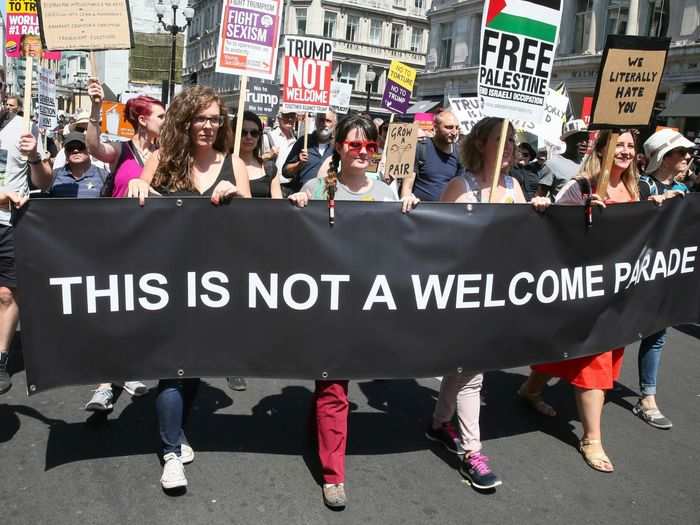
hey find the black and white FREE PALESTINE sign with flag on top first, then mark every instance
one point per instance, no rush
(517, 55)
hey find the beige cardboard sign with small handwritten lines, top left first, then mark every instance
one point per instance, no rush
(85, 25)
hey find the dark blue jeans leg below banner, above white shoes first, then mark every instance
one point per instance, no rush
(173, 404)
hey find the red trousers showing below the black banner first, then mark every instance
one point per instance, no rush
(332, 409)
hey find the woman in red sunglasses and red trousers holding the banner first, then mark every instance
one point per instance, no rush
(356, 142)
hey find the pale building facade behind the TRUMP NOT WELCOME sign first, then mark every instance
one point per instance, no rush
(367, 36)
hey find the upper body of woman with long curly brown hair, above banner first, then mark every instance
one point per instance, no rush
(193, 158)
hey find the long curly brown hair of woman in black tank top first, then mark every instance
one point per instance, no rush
(173, 172)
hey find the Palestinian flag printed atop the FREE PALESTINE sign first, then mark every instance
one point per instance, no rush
(532, 18)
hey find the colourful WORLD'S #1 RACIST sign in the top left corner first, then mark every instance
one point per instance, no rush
(22, 31)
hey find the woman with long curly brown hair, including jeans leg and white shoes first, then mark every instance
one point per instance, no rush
(193, 160)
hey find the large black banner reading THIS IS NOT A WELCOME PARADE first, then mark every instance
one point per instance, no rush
(258, 288)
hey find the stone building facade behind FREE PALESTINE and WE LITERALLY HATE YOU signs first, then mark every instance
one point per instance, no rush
(453, 49)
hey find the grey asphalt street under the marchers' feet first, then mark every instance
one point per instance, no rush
(255, 462)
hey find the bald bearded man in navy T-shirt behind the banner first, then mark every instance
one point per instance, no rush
(437, 160)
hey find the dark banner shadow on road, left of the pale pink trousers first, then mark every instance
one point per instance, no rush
(279, 424)
